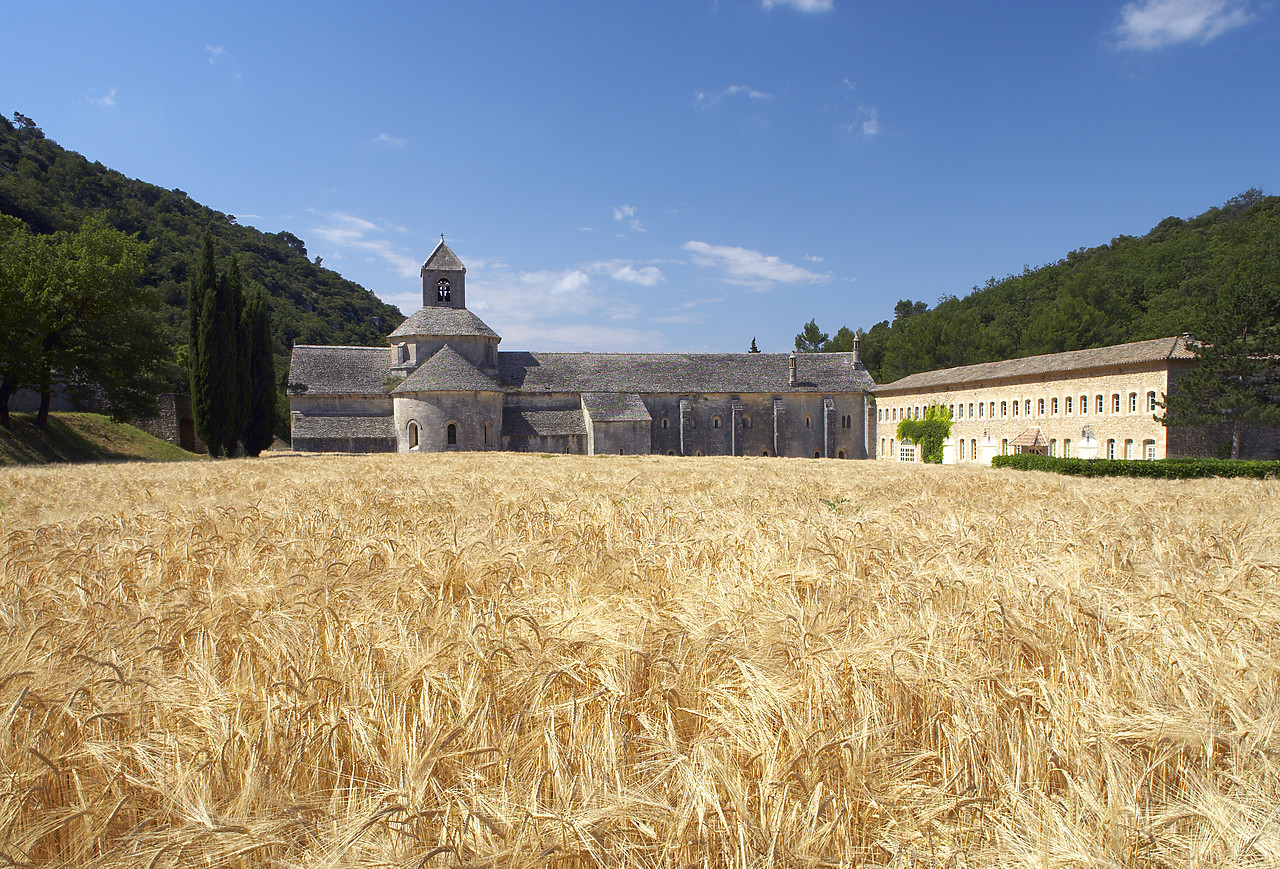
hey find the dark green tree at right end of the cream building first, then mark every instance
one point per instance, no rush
(1237, 377)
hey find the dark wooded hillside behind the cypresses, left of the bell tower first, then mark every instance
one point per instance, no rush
(53, 189)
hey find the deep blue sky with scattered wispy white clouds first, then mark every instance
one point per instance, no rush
(670, 175)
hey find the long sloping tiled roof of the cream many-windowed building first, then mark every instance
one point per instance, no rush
(1048, 365)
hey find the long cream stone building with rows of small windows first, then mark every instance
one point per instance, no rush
(1092, 404)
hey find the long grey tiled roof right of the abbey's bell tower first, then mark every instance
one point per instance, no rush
(680, 373)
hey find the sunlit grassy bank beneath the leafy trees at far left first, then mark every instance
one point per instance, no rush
(81, 438)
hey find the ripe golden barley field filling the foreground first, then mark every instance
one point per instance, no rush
(518, 661)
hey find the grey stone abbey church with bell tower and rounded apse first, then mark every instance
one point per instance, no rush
(444, 385)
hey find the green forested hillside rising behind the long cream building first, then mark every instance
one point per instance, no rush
(1163, 283)
